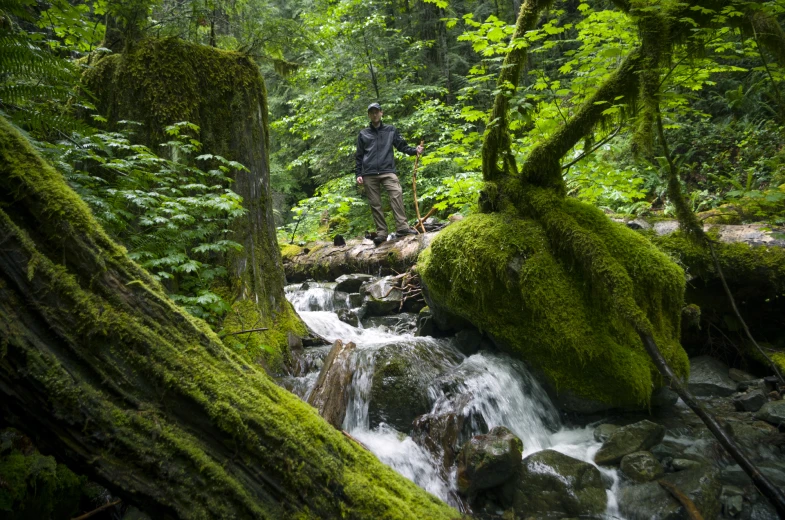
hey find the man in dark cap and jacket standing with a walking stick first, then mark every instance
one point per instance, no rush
(376, 170)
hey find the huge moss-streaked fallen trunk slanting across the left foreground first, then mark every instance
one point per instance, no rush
(107, 374)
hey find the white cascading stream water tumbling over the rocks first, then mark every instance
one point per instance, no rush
(485, 389)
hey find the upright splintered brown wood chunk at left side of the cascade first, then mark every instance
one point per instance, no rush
(330, 395)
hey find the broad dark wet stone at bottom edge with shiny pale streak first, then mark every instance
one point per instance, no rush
(551, 482)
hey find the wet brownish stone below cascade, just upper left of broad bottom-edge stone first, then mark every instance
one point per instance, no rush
(489, 460)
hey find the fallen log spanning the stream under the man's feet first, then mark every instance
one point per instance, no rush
(324, 262)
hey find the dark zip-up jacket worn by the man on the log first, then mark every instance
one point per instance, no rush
(374, 150)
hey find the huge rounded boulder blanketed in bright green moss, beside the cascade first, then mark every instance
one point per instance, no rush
(501, 273)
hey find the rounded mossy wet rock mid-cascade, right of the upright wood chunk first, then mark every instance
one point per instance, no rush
(399, 388)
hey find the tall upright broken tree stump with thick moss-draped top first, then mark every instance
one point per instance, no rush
(161, 82)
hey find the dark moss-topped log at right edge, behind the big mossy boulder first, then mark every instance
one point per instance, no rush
(756, 277)
